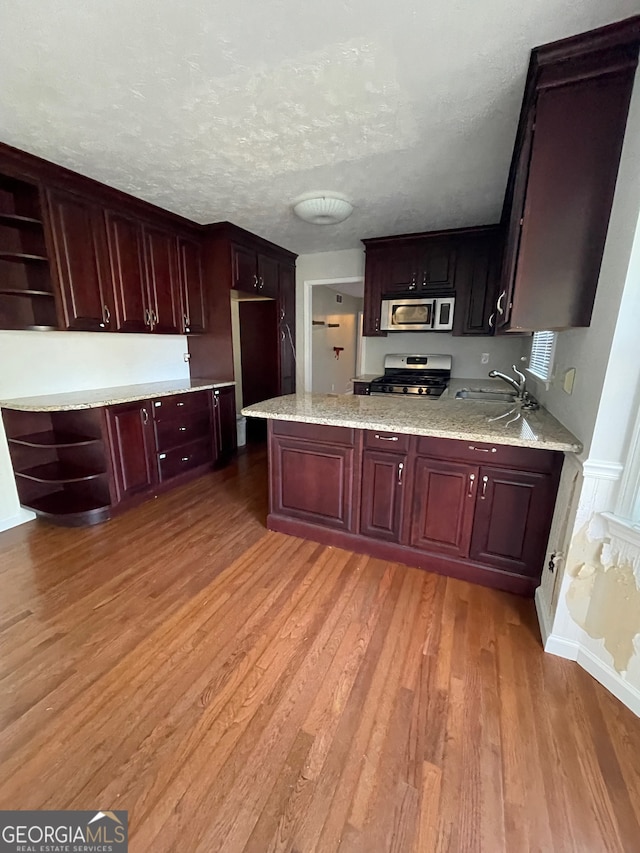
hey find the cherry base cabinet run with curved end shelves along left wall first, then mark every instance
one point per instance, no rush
(77, 468)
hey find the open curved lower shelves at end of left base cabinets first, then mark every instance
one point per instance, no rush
(61, 464)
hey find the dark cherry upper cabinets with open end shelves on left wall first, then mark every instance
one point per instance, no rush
(79, 256)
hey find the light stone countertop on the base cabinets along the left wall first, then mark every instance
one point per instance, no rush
(95, 398)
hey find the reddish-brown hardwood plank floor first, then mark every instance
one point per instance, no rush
(241, 690)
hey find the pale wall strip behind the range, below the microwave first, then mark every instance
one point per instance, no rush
(466, 352)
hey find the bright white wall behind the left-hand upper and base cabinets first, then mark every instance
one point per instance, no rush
(33, 363)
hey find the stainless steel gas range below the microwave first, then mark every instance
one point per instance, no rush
(423, 375)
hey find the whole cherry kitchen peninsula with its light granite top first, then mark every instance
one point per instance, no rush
(462, 487)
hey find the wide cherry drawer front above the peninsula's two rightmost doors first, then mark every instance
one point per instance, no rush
(483, 453)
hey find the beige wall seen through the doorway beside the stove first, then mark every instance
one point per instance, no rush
(331, 374)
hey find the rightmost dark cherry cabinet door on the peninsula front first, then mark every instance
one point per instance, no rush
(512, 519)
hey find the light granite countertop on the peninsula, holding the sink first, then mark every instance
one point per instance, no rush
(446, 417)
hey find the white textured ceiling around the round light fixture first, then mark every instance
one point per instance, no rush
(231, 109)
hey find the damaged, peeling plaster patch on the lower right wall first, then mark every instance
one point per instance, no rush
(604, 594)
